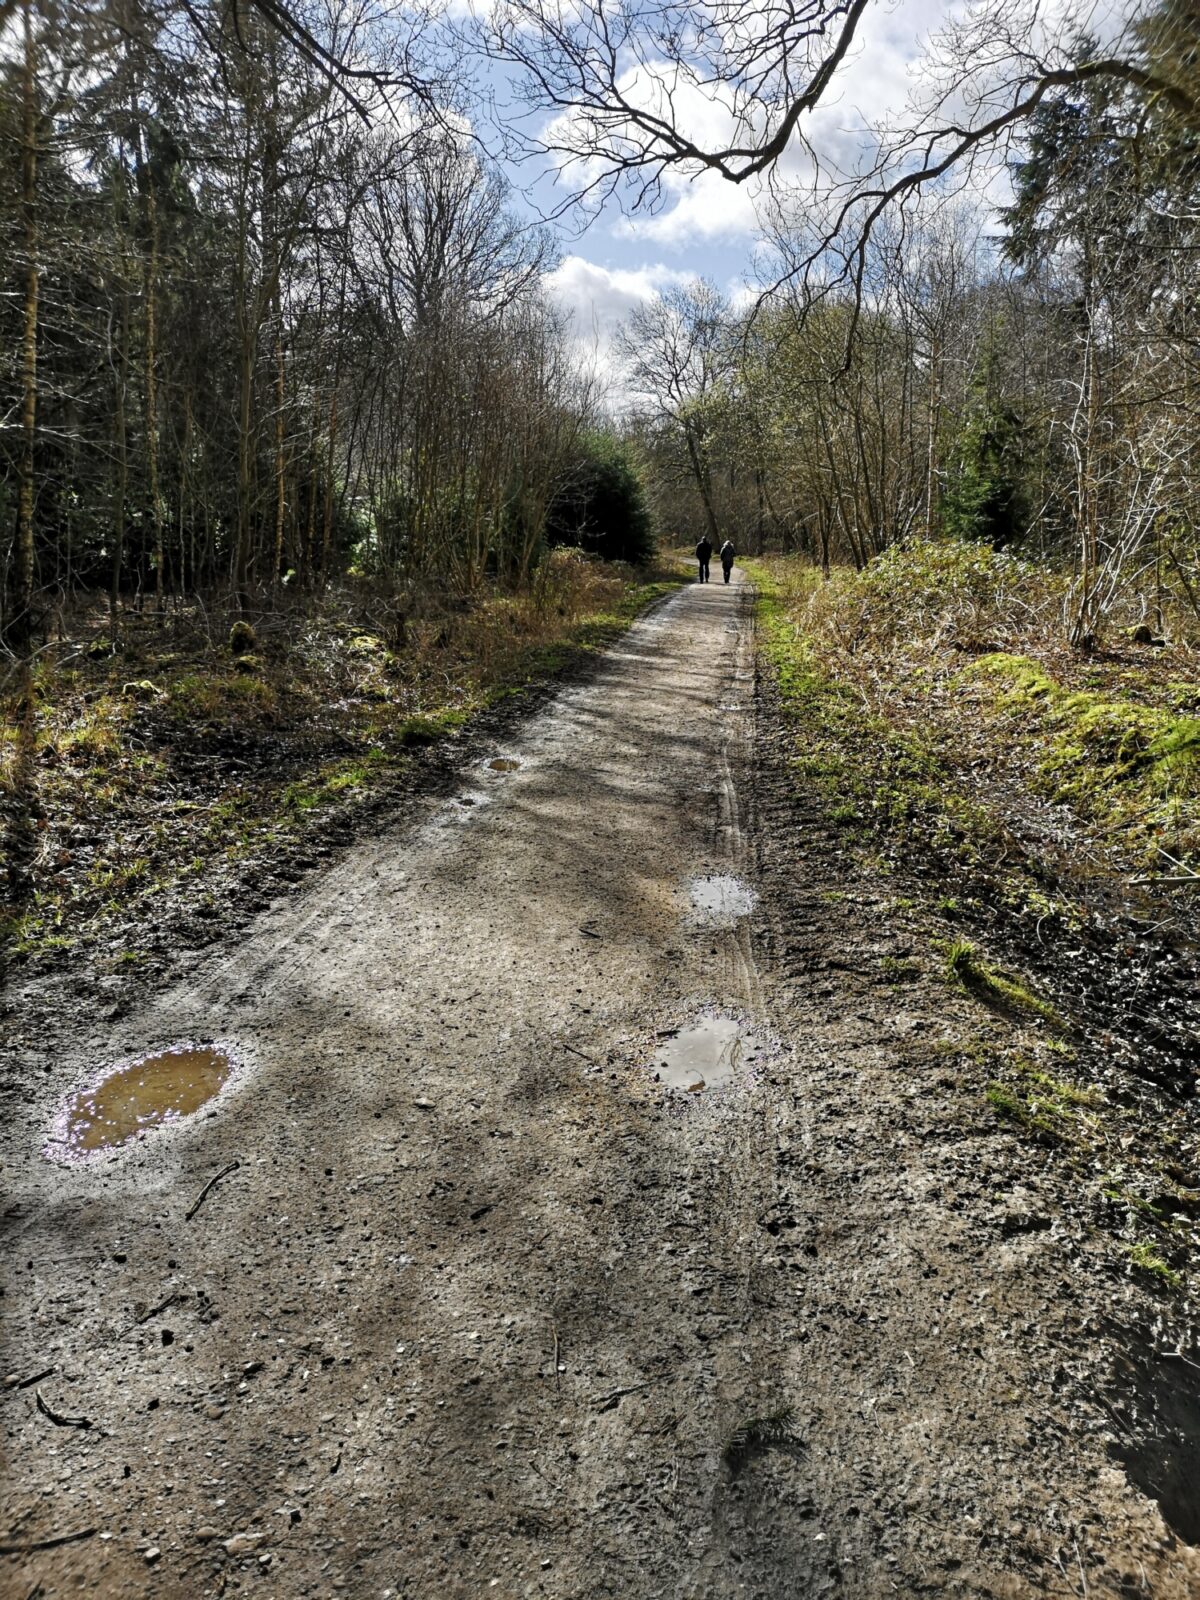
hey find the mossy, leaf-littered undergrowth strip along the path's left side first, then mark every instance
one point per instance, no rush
(198, 746)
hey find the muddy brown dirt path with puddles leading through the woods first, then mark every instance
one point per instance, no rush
(484, 1305)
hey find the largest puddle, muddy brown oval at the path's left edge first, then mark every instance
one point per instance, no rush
(143, 1095)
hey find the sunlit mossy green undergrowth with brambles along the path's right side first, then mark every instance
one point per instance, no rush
(934, 705)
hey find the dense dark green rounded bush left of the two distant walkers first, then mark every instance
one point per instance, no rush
(602, 508)
